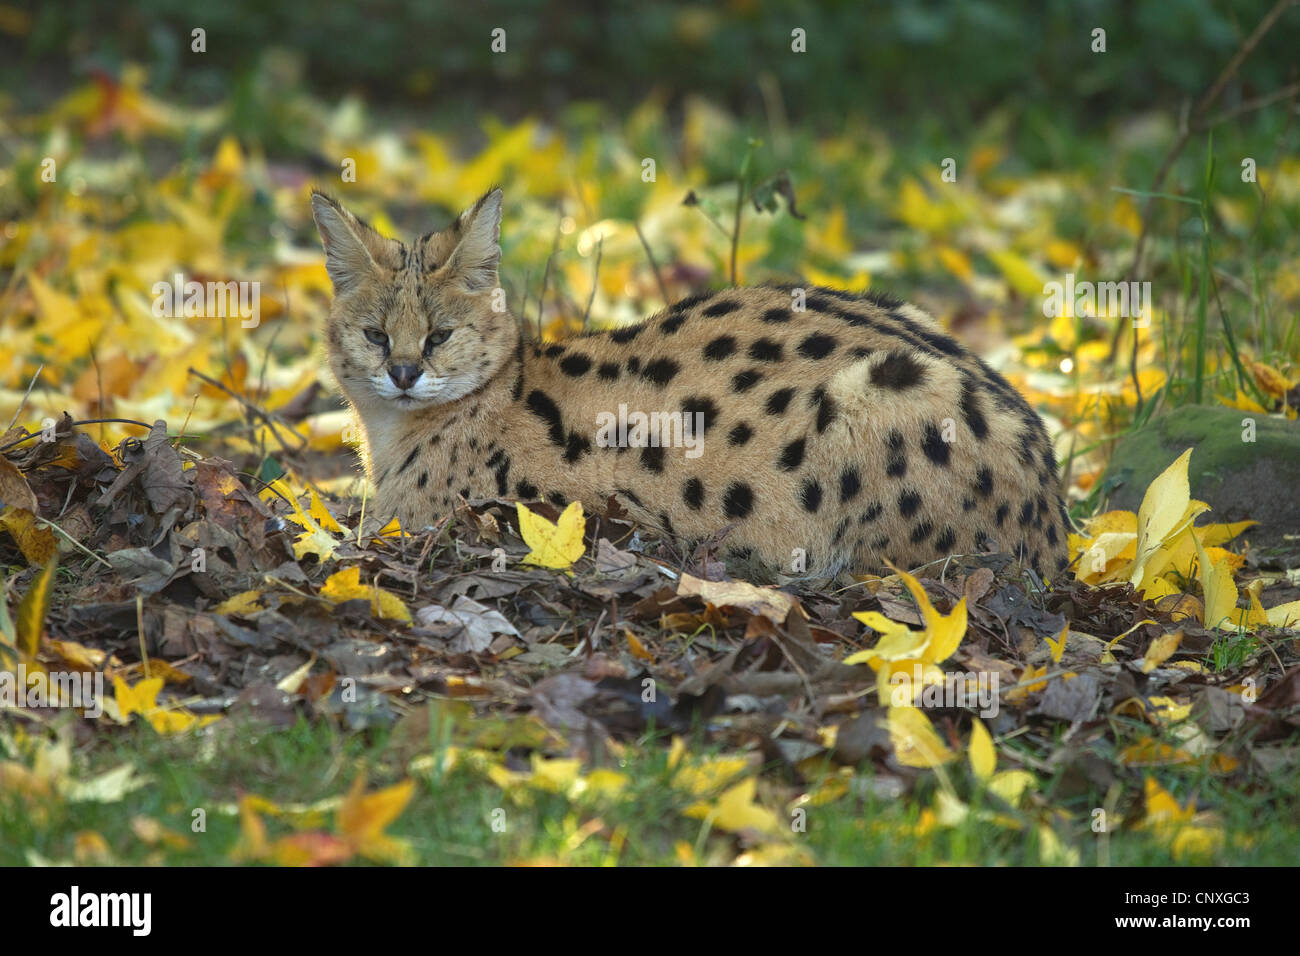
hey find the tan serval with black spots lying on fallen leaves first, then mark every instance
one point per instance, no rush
(912, 448)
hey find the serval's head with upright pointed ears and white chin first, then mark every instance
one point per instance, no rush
(415, 326)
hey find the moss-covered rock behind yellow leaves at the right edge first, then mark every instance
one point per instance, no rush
(1240, 479)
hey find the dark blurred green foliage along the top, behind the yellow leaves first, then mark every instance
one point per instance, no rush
(941, 63)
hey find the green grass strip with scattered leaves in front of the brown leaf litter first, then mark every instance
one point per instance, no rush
(450, 819)
